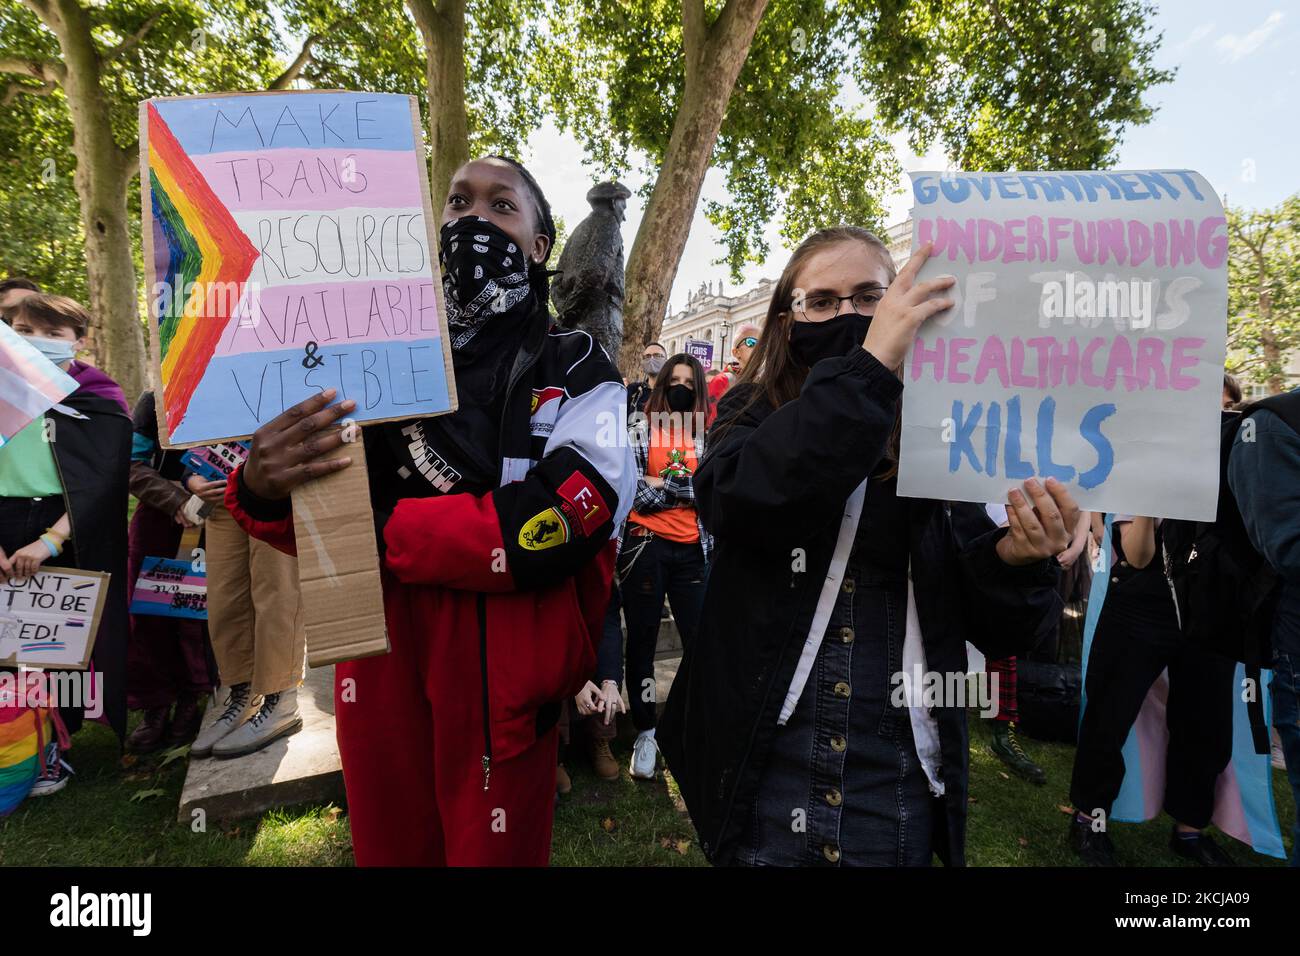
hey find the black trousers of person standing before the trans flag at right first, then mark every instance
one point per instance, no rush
(1137, 639)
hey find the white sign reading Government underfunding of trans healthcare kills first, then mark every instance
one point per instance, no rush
(1087, 340)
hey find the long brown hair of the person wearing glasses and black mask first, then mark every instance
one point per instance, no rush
(773, 374)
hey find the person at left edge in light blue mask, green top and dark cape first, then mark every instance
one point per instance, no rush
(63, 498)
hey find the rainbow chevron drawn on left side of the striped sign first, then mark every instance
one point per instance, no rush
(198, 244)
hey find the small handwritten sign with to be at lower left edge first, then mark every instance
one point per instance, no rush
(51, 618)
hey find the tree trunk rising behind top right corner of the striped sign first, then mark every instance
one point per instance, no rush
(443, 28)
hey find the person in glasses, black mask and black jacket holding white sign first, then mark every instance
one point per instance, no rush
(804, 725)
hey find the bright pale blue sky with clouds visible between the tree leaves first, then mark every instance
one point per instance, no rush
(1233, 114)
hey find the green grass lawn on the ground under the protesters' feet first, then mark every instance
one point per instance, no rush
(125, 815)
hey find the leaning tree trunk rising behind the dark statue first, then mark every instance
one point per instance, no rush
(714, 59)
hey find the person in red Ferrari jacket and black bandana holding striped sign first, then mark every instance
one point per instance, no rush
(496, 525)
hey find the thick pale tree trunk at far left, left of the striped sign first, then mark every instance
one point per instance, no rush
(105, 171)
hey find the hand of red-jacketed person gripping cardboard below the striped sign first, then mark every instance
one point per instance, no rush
(287, 452)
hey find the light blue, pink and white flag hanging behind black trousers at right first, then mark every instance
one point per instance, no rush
(1243, 794)
